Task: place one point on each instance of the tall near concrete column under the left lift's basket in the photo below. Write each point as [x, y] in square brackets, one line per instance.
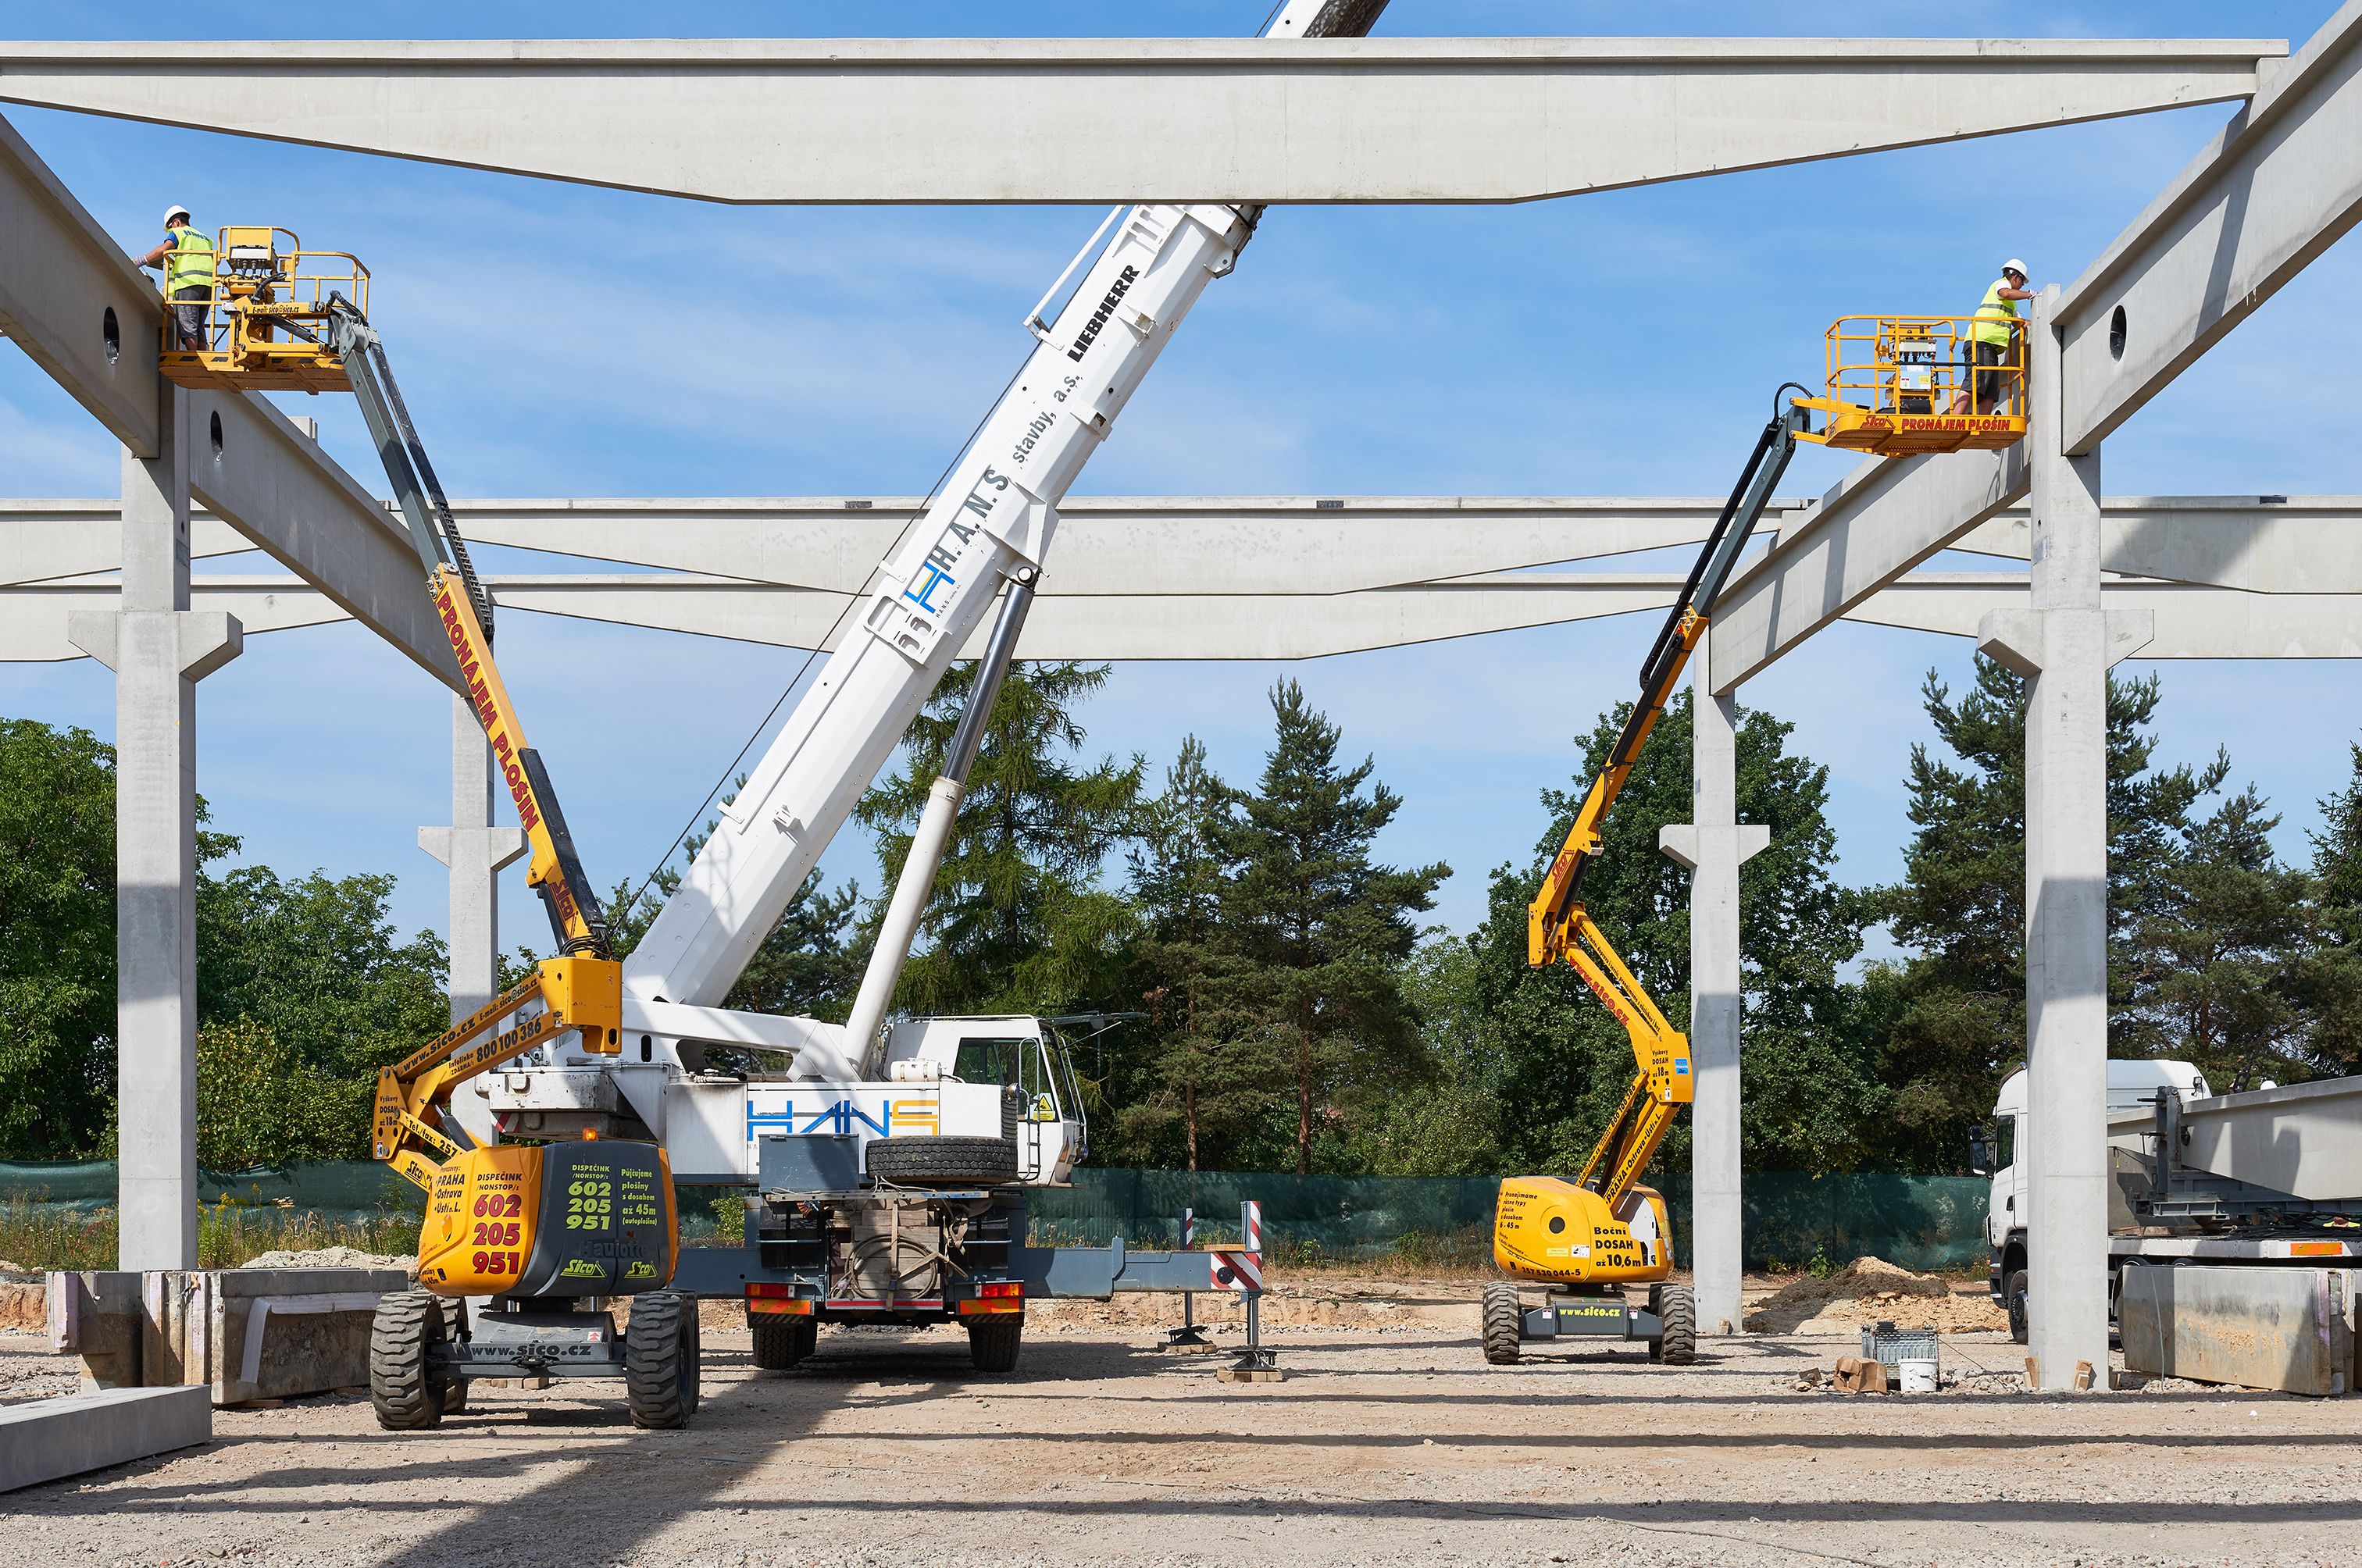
[159, 651]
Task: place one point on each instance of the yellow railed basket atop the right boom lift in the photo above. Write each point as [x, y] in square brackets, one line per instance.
[1900, 386]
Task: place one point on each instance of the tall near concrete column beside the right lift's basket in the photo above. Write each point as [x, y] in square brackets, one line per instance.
[2066, 643]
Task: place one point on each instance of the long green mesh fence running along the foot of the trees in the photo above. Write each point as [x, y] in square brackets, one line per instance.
[1787, 1217]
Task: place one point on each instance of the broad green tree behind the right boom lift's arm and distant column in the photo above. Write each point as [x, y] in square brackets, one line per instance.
[1808, 1054]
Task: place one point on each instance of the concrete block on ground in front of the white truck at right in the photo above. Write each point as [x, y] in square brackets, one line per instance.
[2259, 1328]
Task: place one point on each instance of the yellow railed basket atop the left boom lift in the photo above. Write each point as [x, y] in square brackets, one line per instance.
[263, 325]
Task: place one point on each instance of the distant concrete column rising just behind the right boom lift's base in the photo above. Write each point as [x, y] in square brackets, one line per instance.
[1714, 847]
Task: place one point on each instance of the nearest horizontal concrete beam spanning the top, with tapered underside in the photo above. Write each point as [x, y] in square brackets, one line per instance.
[1130, 119]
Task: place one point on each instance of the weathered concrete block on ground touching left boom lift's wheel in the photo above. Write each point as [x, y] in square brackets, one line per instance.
[261, 1333]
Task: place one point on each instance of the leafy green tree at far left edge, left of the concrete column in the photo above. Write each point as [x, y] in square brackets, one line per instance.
[58, 941]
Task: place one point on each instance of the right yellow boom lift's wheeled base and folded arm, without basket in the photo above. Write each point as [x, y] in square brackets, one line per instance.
[1603, 1231]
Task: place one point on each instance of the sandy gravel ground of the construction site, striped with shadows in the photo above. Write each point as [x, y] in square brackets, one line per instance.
[1392, 1442]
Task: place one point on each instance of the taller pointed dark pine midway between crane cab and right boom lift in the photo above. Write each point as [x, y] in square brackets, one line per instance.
[1322, 922]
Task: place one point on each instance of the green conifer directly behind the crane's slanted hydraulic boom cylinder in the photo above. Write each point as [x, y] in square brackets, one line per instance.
[1017, 920]
